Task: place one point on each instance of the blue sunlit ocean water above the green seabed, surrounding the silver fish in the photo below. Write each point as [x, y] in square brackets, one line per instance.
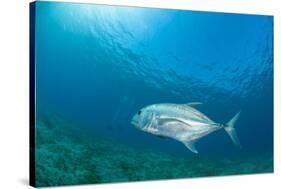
[97, 65]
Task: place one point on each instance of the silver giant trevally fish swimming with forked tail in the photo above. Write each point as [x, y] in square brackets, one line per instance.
[181, 122]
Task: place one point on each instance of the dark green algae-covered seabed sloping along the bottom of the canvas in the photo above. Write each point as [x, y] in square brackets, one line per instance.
[65, 158]
